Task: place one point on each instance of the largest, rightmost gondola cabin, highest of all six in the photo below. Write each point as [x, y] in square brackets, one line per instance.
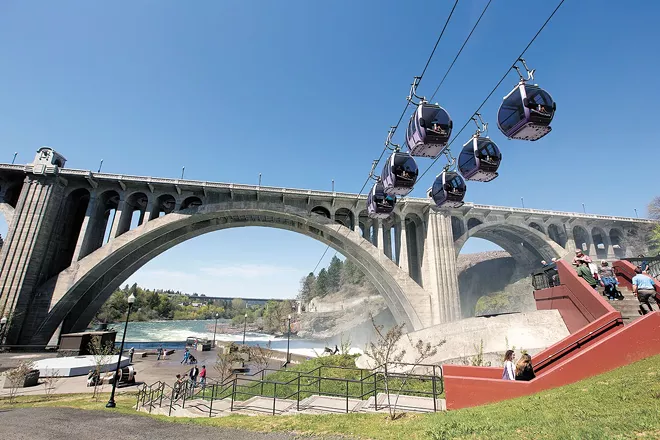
[526, 113]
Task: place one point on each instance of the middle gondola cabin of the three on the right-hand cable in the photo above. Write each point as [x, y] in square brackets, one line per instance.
[479, 159]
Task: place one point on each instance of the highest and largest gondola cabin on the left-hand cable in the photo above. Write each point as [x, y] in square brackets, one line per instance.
[428, 130]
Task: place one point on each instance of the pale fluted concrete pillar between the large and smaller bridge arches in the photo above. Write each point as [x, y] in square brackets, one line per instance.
[439, 274]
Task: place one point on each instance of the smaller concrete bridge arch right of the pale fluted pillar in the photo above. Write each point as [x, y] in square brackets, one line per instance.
[527, 245]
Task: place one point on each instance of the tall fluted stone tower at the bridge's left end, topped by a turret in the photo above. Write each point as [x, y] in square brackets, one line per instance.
[31, 244]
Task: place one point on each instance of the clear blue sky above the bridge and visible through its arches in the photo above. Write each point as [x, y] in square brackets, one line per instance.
[304, 92]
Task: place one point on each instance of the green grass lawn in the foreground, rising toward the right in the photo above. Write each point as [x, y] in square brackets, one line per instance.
[621, 404]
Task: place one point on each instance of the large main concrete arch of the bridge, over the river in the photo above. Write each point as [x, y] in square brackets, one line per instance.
[80, 290]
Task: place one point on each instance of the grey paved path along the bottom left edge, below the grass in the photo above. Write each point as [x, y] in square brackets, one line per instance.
[75, 424]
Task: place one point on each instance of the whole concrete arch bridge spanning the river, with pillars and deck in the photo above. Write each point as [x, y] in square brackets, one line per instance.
[58, 265]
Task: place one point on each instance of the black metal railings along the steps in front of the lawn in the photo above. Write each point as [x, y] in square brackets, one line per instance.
[356, 383]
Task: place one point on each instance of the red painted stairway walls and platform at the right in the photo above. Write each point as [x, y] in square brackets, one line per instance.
[598, 342]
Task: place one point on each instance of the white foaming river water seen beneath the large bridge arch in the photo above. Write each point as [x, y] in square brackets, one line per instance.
[173, 334]
